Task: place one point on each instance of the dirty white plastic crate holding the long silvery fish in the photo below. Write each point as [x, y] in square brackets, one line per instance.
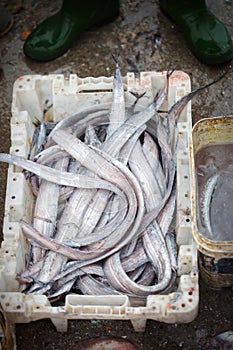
[63, 97]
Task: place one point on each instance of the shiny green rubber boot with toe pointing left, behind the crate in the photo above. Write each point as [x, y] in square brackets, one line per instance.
[55, 35]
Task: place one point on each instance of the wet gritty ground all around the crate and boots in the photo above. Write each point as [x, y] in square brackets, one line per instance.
[132, 34]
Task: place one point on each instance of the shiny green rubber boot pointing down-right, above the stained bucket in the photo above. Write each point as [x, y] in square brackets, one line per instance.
[206, 35]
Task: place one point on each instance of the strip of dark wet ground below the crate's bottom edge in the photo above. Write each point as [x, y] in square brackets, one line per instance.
[215, 317]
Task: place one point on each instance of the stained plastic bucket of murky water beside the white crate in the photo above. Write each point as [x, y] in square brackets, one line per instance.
[212, 155]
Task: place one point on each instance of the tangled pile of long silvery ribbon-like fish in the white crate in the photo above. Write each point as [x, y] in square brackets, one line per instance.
[104, 182]
